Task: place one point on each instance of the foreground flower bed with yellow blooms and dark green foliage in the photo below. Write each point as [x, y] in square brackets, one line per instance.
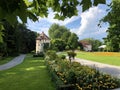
[73, 76]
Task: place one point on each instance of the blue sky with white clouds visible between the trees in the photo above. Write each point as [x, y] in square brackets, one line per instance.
[85, 25]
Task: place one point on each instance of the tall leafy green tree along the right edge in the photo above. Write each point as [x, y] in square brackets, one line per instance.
[113, 18]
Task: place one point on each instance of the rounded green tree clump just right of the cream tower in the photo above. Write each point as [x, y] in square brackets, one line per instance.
[62, 37]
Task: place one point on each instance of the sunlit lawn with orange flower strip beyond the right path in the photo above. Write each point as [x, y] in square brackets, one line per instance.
[112, 58]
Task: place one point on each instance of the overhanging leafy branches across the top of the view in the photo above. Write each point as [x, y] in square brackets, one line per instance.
[11, 9]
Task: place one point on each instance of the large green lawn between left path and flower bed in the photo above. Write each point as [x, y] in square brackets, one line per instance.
[30, 75]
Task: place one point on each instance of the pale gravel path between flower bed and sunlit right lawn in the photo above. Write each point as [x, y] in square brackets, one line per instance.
[105, 68]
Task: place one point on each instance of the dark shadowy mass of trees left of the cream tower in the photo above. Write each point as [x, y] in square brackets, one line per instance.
[17, 39]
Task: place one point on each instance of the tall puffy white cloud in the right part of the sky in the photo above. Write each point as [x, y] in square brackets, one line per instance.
[89, 22]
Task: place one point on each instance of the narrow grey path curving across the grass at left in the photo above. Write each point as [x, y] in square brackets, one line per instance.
[17, 60]
